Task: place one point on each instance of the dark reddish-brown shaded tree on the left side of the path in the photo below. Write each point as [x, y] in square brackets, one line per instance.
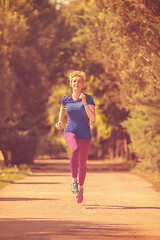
[34, 55]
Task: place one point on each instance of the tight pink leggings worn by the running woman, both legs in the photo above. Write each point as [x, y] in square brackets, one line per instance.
[79, 155]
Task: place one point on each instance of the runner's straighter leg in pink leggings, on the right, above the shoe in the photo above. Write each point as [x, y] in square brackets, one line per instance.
[84, 147]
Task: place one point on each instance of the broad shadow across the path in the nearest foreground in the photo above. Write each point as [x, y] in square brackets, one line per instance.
[31, 229]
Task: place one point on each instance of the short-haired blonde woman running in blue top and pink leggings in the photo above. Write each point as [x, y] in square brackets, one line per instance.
[80, 110]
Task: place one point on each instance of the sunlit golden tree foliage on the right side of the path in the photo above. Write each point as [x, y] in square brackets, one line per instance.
[123, 38]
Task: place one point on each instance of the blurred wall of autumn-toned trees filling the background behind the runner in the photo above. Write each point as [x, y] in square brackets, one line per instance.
[117, 44]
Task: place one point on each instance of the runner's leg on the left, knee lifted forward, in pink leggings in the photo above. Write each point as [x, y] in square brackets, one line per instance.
[72, 142]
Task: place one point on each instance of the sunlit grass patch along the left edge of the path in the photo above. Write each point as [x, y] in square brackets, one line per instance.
[12, 174]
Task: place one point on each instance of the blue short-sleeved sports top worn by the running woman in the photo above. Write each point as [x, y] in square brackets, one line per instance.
[77, 119]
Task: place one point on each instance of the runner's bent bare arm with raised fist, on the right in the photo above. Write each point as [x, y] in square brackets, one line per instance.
[90, 109]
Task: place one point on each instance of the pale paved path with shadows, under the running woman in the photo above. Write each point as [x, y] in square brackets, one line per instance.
[116, 206]
